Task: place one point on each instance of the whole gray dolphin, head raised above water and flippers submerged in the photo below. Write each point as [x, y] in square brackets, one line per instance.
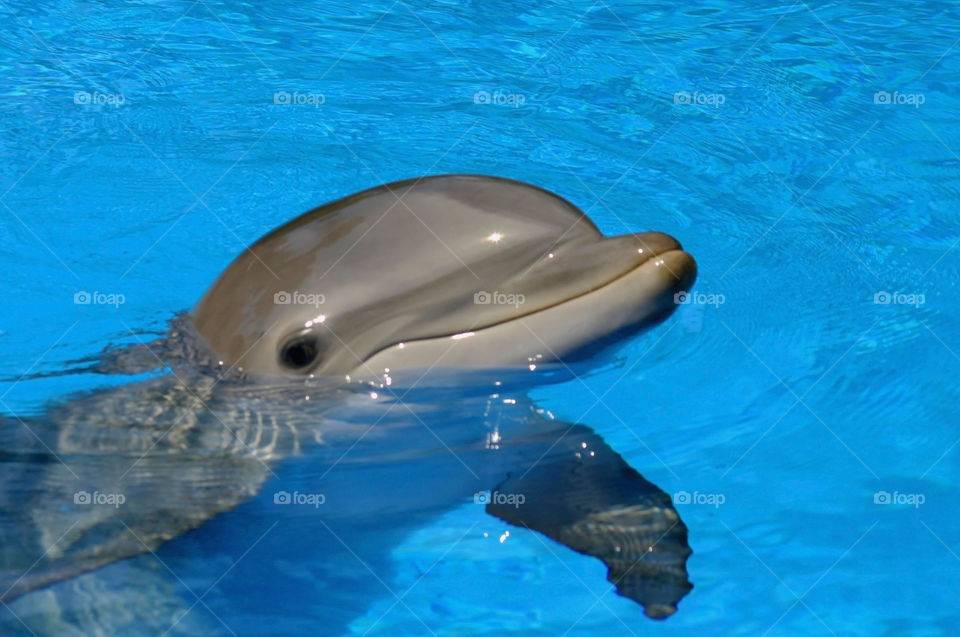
[470, 280]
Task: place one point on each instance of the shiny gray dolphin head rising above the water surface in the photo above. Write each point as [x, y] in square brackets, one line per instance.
[450, 270]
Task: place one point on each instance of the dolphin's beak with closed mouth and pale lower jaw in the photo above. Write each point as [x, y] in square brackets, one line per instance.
[577, 309]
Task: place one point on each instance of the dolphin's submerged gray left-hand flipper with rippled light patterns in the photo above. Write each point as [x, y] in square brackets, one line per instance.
[117, 473]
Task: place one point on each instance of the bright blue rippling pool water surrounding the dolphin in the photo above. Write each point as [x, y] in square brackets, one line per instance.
[752, 133]
